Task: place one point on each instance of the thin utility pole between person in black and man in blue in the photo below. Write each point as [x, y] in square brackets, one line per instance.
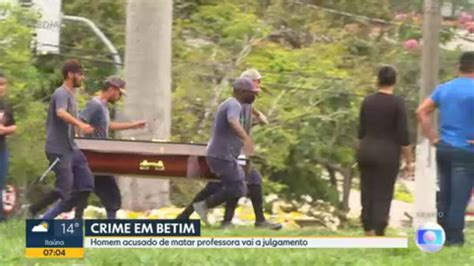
[425, 181]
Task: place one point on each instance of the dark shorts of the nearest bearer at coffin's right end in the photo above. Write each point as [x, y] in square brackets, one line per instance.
[231, 174]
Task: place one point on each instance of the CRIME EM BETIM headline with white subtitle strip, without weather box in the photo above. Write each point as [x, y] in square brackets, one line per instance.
[187, 234]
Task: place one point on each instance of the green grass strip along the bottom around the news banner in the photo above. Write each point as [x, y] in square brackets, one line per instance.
[12, 239]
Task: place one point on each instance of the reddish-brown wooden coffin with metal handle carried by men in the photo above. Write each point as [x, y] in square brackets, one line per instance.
[146, 158]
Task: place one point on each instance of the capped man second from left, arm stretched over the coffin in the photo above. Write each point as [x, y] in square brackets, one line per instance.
[97, 114]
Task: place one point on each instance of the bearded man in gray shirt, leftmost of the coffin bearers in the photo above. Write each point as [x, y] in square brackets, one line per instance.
[71, 169]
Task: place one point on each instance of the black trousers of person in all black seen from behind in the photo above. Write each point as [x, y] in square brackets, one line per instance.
[379, 163]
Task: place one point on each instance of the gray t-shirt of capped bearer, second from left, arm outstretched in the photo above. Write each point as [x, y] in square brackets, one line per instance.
[97, 114]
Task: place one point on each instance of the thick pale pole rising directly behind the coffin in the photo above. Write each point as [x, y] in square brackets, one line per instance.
[148, 77]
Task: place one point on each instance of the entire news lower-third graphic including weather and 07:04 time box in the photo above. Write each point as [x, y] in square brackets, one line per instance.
[68, 238]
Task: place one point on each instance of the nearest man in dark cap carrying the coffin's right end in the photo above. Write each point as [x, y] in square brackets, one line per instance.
[227, 140]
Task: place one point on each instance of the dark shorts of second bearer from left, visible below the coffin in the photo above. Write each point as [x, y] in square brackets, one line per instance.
[106, 188]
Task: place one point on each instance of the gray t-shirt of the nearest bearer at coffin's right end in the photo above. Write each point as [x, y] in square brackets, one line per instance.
[224, 143]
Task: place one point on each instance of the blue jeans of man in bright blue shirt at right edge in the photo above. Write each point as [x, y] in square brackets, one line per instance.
[456, 180]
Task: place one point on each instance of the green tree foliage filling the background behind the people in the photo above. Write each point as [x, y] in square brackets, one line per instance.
[317, 67]
